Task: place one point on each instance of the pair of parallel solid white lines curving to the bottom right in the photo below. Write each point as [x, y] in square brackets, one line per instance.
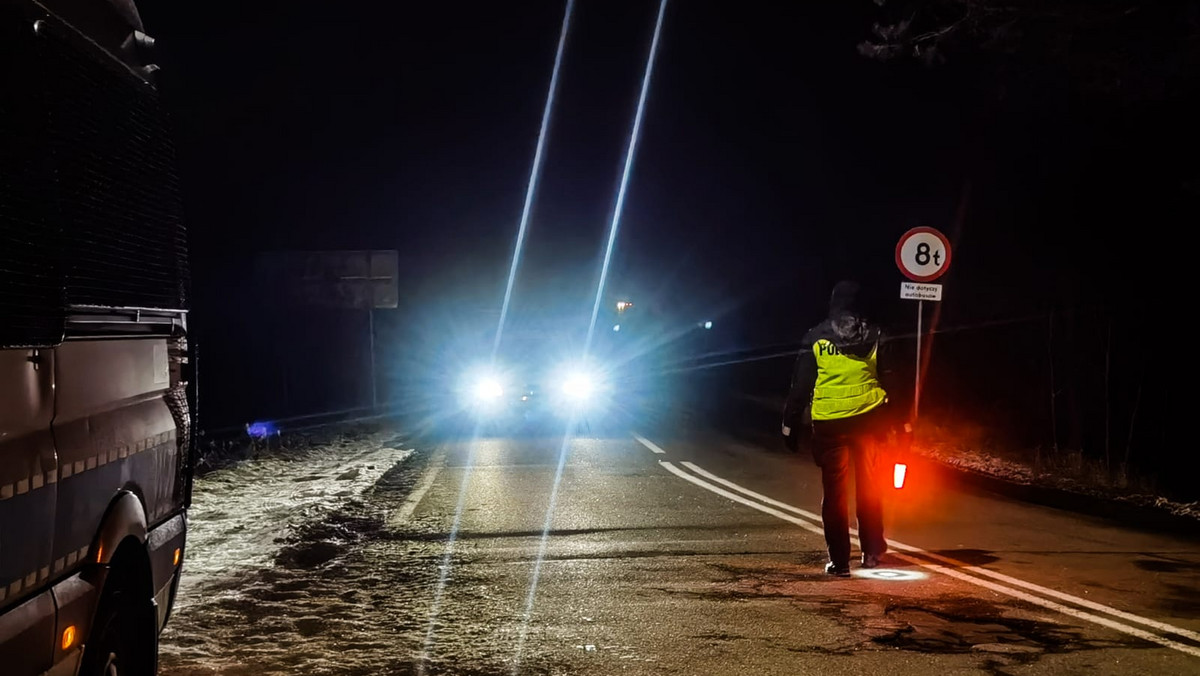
[958, 575]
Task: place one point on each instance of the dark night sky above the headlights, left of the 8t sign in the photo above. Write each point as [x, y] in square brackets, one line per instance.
[767, 139]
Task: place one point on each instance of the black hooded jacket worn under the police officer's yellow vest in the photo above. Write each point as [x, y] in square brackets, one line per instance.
[854, 334]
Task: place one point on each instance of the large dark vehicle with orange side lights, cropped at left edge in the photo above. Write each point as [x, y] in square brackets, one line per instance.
[95, 366]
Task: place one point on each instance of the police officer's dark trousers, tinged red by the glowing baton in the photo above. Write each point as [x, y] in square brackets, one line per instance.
[837, 445]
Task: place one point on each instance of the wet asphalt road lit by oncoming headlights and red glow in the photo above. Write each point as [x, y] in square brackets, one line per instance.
[680, 551]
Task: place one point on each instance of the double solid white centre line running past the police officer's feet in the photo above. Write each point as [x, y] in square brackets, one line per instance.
[947, 566]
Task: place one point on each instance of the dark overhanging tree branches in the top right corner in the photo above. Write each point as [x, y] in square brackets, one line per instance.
[1127, 50]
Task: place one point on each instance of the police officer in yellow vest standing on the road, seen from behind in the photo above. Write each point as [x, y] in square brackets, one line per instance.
[836, 388]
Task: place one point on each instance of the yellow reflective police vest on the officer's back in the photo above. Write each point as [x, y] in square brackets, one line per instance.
[847, 386]
